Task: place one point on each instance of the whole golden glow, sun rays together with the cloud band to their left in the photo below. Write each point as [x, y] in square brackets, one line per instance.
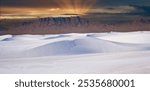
[63, 7]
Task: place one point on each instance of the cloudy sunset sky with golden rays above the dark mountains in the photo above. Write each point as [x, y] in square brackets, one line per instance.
[40, 7]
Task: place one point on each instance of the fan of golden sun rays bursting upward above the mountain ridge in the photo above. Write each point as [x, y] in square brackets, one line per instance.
[75, 6]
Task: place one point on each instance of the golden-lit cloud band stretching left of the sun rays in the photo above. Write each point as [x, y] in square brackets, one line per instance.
[18, 13]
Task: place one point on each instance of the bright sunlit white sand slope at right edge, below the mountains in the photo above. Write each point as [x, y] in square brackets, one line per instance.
[134, 37]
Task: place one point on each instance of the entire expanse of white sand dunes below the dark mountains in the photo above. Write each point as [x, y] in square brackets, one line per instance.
[76, 53]
